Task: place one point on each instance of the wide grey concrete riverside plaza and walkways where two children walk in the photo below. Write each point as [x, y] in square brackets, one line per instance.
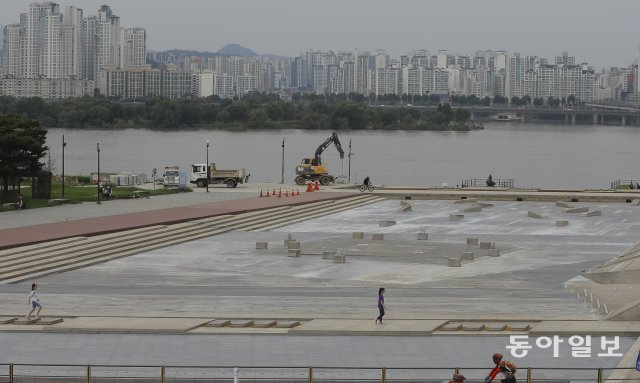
[177, 294]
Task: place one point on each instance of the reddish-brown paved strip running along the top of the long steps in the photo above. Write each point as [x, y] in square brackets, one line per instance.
[21, 236]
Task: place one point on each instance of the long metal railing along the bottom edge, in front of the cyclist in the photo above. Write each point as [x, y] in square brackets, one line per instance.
[78, 373]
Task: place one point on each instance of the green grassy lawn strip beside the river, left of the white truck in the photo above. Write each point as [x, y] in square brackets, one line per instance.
[87, 193]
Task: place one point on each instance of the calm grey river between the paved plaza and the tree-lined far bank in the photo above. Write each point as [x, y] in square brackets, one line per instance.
[535, 155]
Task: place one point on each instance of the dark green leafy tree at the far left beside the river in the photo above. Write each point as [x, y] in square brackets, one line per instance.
[22, 146]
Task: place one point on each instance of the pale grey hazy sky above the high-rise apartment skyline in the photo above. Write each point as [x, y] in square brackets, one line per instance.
[601, 32]
